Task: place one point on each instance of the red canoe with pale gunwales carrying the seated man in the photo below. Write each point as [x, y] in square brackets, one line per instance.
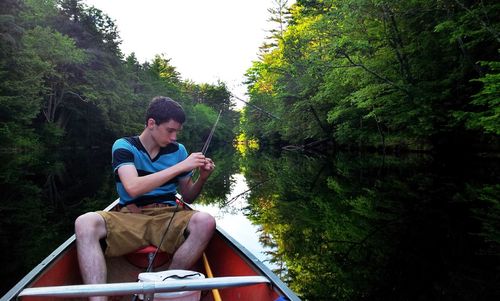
[225, 260]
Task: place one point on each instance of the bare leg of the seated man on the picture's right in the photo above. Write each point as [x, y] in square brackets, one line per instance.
[201, 228]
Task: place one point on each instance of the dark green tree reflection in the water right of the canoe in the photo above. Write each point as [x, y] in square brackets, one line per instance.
[374, 227]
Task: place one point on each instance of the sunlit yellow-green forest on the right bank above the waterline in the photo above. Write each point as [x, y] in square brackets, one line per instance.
[418, 75]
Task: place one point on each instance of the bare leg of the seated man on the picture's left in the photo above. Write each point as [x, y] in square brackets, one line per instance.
[89, 229]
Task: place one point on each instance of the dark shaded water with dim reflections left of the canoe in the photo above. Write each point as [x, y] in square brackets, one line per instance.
[42, 193]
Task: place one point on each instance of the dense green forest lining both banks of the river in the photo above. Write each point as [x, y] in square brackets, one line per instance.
[418, 75]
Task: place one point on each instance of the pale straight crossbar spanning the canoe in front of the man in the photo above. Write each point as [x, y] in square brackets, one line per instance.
[130, 288]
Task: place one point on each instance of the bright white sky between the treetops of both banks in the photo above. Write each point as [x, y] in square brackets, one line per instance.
[205, 40]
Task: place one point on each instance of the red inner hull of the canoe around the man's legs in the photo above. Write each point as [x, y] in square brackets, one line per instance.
[224, 260]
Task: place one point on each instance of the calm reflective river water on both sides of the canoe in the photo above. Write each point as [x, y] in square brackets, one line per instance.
[344, 226]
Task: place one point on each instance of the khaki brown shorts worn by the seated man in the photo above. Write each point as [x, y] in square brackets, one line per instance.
[128, 232]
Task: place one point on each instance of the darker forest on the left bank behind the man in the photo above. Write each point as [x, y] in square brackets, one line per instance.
[65, 82]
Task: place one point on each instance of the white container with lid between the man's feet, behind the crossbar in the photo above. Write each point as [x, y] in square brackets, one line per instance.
[173, 275]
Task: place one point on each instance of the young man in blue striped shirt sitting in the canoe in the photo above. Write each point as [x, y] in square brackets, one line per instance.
[149, 169]
